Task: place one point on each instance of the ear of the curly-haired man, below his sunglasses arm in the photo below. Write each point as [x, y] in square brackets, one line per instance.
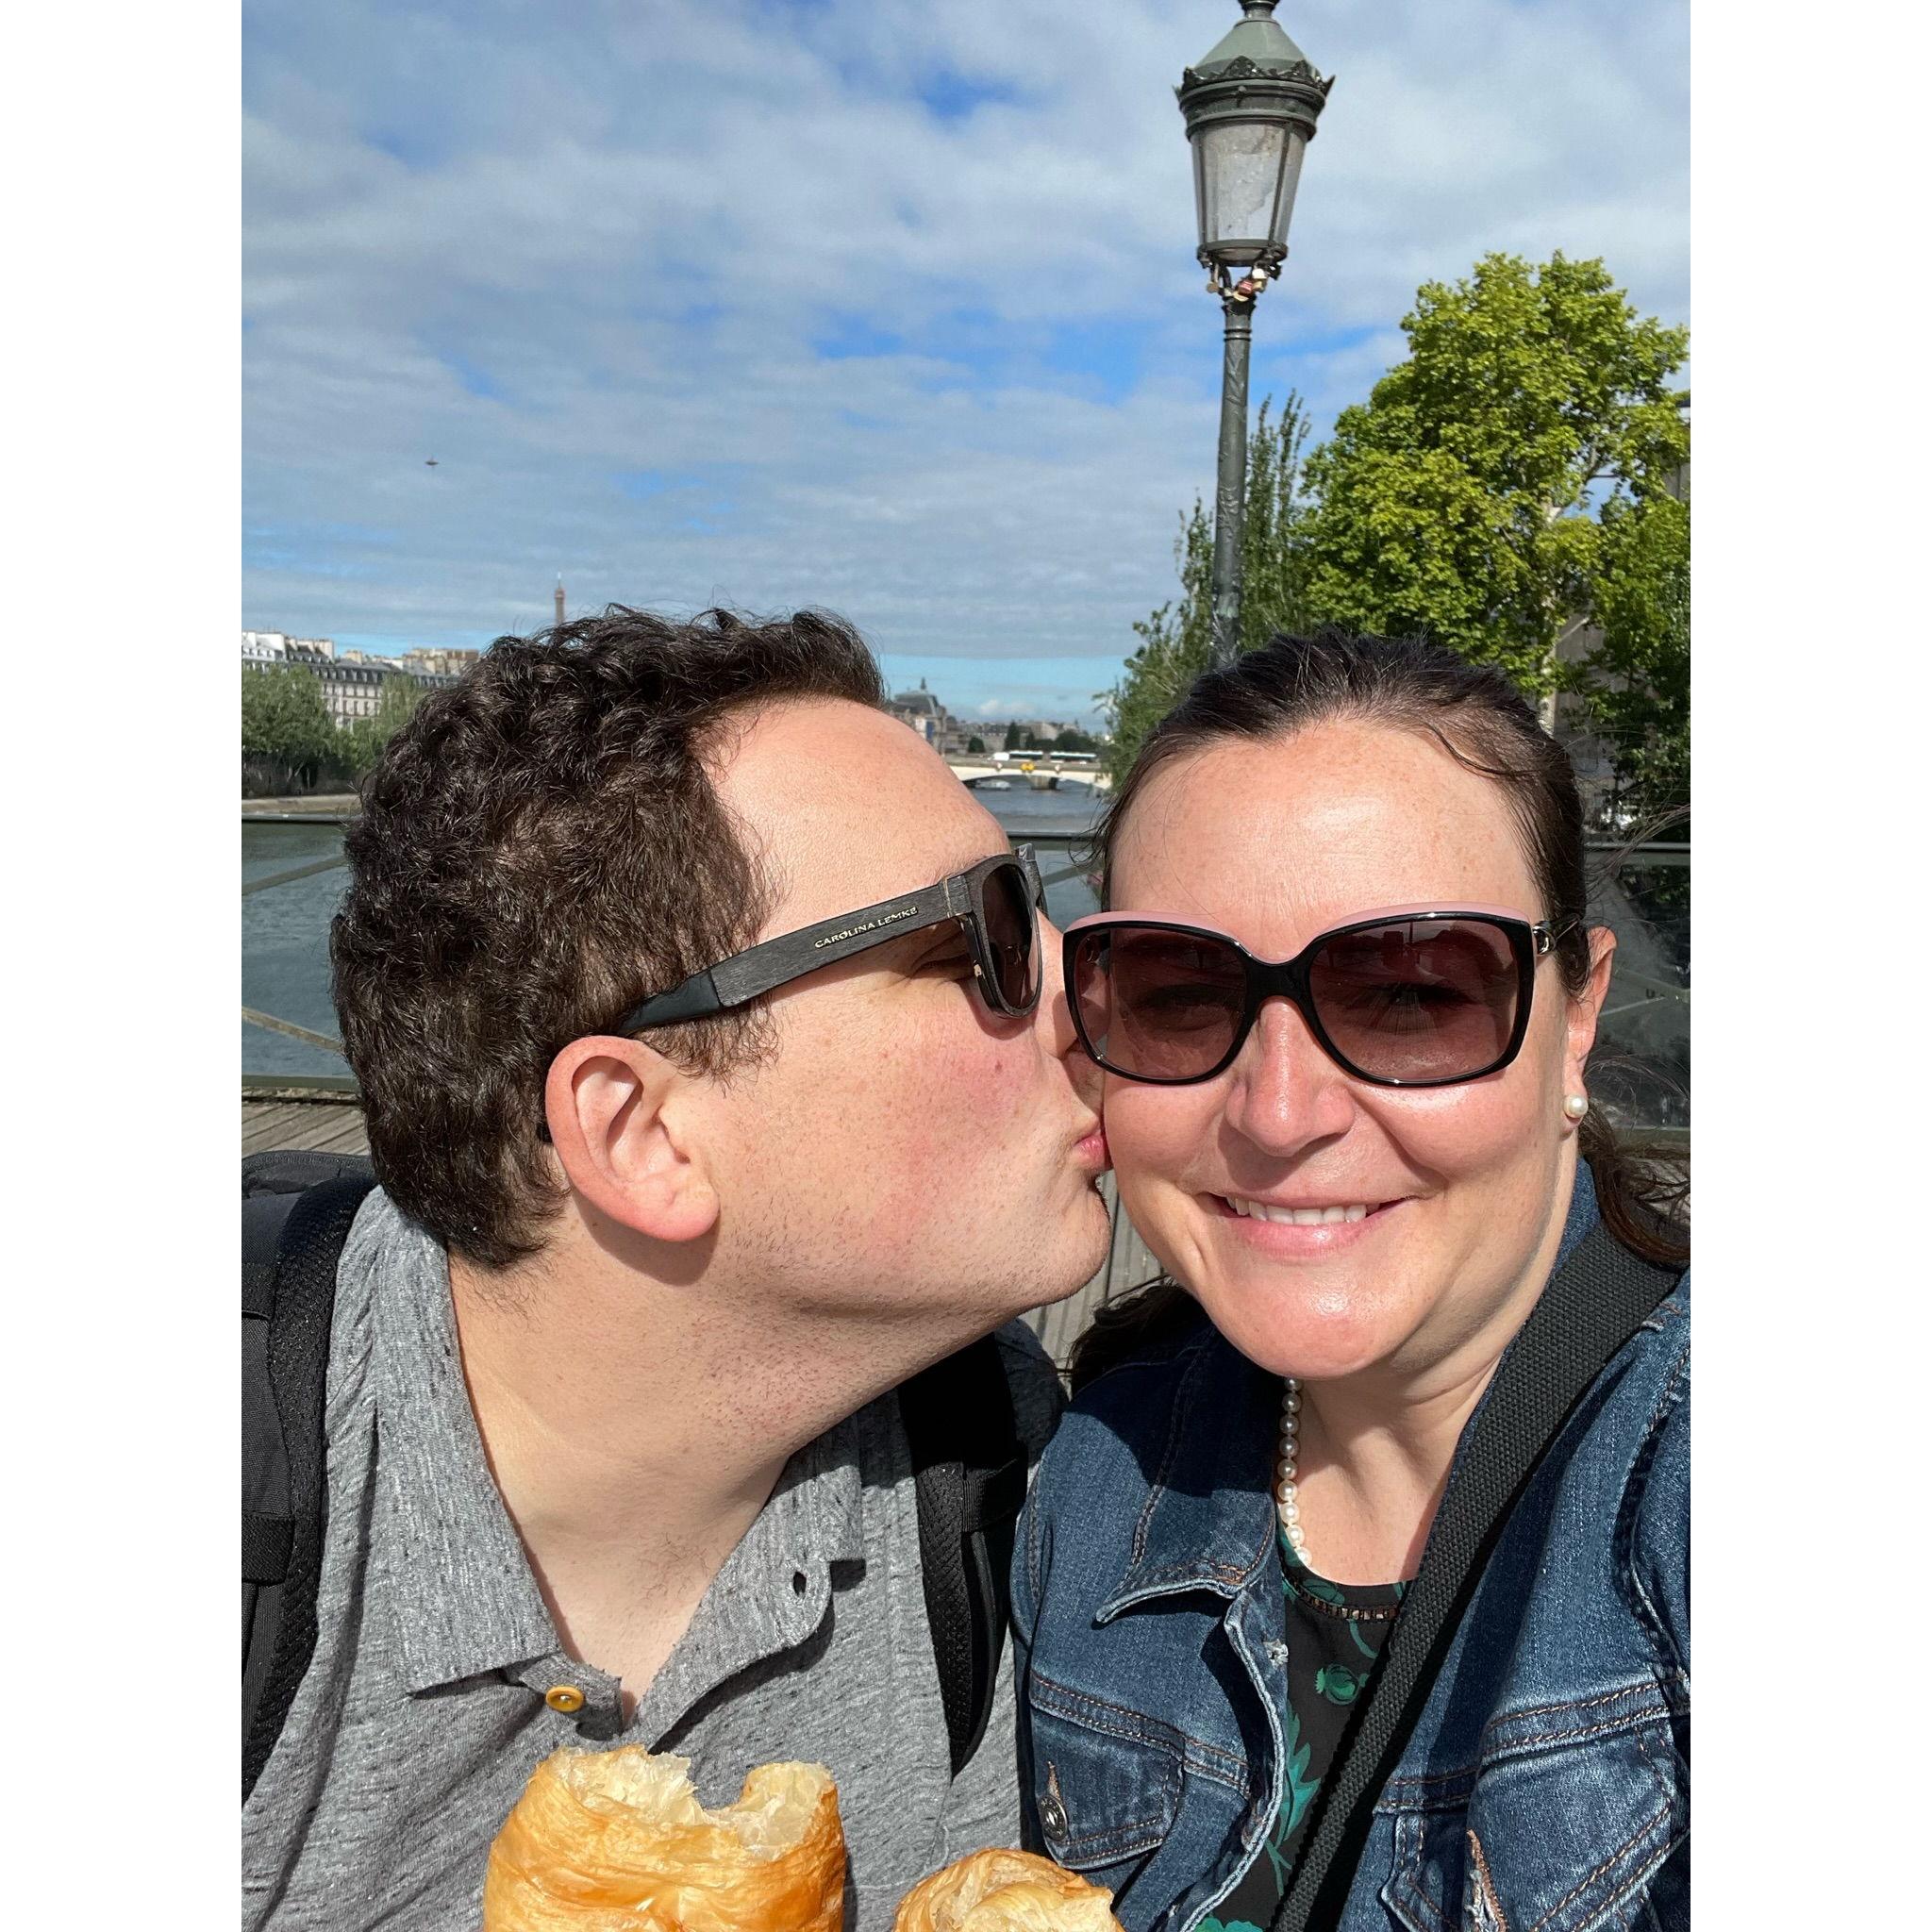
[623, 1131]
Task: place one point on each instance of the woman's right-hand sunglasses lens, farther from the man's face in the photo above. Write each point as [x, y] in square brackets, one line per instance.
[1419, 1000]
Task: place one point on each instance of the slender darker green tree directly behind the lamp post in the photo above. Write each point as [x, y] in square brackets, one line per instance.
[1176, 640]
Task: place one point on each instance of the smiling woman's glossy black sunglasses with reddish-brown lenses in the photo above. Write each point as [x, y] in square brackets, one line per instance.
[1415, 998]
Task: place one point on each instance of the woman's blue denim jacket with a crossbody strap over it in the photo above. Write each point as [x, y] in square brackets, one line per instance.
[1547, 1782]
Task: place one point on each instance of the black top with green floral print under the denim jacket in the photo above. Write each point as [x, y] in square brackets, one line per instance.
[1336, 1635]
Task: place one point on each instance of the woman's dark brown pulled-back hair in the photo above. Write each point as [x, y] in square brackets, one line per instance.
[1483, 724]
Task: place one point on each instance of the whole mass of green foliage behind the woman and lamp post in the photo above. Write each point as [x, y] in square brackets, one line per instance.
[1504, 488]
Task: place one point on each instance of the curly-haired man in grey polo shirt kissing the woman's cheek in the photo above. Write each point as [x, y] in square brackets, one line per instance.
[720, 1083]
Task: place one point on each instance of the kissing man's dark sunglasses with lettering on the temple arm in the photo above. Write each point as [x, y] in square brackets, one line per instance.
[994, 901]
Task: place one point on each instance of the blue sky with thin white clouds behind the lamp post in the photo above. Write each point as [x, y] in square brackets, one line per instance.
[828, 302]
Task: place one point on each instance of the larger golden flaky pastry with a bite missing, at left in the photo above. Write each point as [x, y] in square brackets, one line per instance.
[617, 1842]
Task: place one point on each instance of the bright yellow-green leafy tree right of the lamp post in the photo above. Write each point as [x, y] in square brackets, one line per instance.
[1469, 497]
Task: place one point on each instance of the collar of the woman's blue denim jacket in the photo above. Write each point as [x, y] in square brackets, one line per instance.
[1210, 1514]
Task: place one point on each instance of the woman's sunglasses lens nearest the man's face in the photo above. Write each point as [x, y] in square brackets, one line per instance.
[1158, 1006]
